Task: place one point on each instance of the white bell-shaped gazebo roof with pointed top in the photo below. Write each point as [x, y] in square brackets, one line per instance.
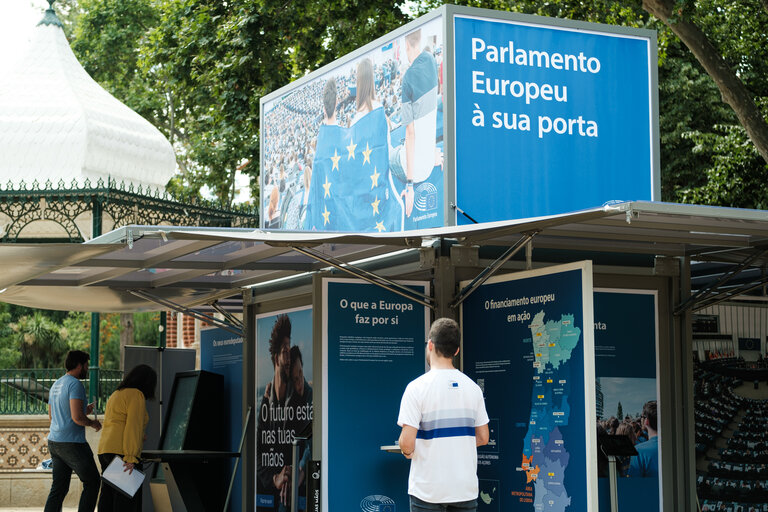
[57, 123]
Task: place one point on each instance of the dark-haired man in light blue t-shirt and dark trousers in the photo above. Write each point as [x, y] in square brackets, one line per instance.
[68, 413]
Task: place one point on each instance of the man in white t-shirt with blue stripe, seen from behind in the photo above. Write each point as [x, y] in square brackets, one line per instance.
[444, 420]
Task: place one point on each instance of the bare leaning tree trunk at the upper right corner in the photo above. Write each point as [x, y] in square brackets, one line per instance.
[732, 90]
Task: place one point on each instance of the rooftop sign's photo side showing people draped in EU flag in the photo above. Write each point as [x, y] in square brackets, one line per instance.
[358, 146]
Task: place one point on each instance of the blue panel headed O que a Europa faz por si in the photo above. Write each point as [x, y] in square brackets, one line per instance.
[373, 346]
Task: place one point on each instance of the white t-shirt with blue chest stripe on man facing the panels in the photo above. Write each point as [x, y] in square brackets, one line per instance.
[446, 406]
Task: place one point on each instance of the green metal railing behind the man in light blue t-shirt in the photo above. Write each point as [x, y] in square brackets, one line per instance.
[25, 391]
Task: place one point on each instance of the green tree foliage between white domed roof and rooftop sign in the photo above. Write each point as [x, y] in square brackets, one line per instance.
[196, 69]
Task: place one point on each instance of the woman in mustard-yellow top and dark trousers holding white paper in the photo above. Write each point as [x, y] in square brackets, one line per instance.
[122, 433]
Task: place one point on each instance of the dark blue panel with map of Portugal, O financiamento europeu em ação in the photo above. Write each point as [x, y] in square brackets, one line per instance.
[528, 342]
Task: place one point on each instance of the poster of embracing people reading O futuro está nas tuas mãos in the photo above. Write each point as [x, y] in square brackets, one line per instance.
[284, 394]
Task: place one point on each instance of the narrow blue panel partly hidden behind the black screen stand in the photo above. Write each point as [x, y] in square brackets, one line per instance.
[222, 352]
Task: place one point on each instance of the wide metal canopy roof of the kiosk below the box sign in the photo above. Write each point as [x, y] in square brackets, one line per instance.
[193, 266]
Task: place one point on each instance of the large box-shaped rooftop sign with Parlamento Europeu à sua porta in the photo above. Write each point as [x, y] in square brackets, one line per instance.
[499, 115]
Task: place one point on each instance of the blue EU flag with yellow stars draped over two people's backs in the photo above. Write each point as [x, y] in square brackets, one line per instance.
[351, 188]
